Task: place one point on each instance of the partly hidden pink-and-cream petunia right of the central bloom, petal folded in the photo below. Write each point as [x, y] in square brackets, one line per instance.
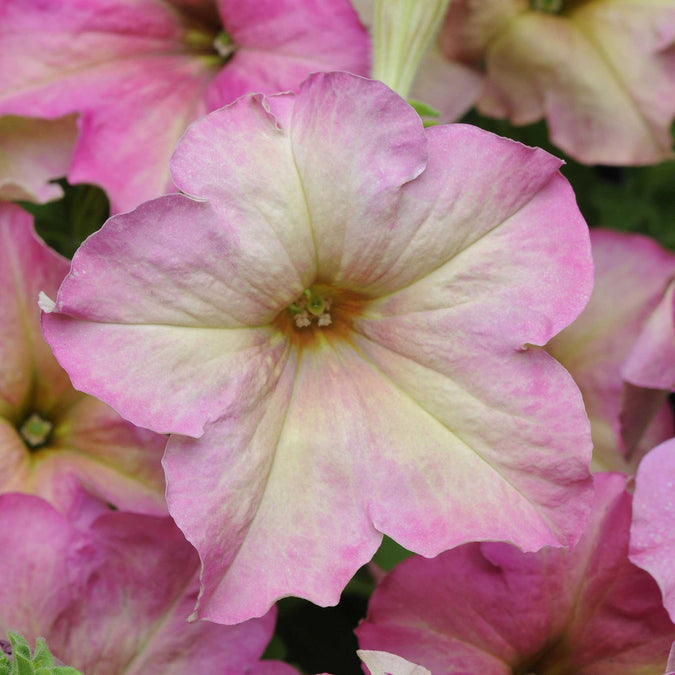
[628, 411]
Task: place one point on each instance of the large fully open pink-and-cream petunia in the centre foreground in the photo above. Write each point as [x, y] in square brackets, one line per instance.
[339, 327]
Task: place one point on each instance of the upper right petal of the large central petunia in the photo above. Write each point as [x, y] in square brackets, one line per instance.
[480, 192]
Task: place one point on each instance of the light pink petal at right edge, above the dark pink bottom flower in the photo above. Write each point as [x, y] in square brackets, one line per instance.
[652, 544]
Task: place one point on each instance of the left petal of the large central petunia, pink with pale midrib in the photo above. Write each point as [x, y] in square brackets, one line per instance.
[206, 288]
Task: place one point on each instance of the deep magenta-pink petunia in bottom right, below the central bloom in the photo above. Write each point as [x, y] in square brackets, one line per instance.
[491, 609]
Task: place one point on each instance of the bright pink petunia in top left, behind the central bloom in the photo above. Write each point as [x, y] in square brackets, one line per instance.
[140, 72]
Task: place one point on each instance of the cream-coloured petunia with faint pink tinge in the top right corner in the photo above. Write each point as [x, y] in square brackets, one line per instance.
[602, 72]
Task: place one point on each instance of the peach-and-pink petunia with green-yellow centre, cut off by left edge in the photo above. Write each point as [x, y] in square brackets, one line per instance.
[56, 442]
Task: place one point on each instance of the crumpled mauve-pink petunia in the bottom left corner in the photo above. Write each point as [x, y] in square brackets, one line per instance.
[114, 598]
